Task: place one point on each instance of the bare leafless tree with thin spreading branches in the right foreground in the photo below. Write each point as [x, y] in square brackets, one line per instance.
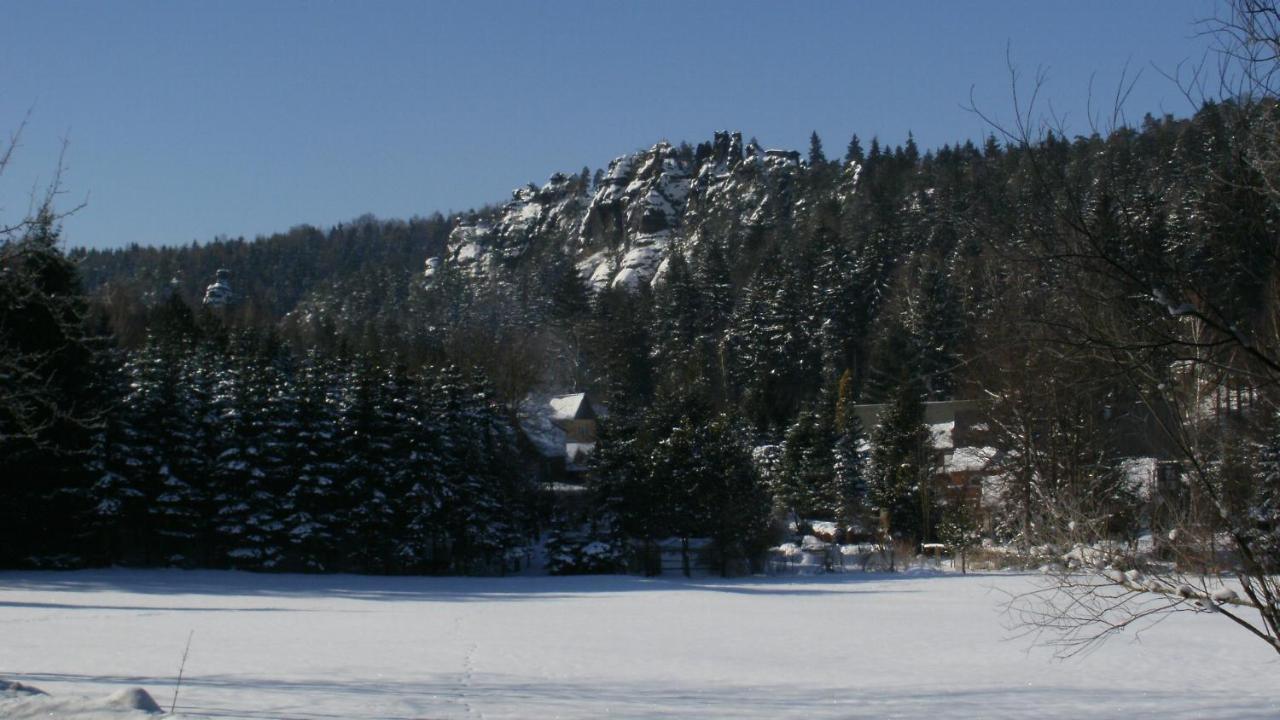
[1169, 293]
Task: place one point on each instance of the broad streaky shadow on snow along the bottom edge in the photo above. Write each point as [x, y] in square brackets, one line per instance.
[436, 695]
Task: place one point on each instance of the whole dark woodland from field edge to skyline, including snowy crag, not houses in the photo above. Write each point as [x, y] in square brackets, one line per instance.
[350, 399]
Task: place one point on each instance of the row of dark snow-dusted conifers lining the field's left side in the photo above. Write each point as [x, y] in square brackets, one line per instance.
[223, 448]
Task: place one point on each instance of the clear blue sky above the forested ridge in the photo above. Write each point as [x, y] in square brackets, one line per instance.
[194, 120]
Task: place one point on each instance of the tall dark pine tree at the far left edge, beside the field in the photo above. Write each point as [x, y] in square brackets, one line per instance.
[49, 404]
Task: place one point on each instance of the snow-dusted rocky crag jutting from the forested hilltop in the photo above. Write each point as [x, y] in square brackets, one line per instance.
[621, 231]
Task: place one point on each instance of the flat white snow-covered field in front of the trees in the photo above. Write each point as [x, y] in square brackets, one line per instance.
[836, 646]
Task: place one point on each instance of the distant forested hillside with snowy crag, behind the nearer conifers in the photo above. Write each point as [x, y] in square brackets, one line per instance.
[765, 275]
